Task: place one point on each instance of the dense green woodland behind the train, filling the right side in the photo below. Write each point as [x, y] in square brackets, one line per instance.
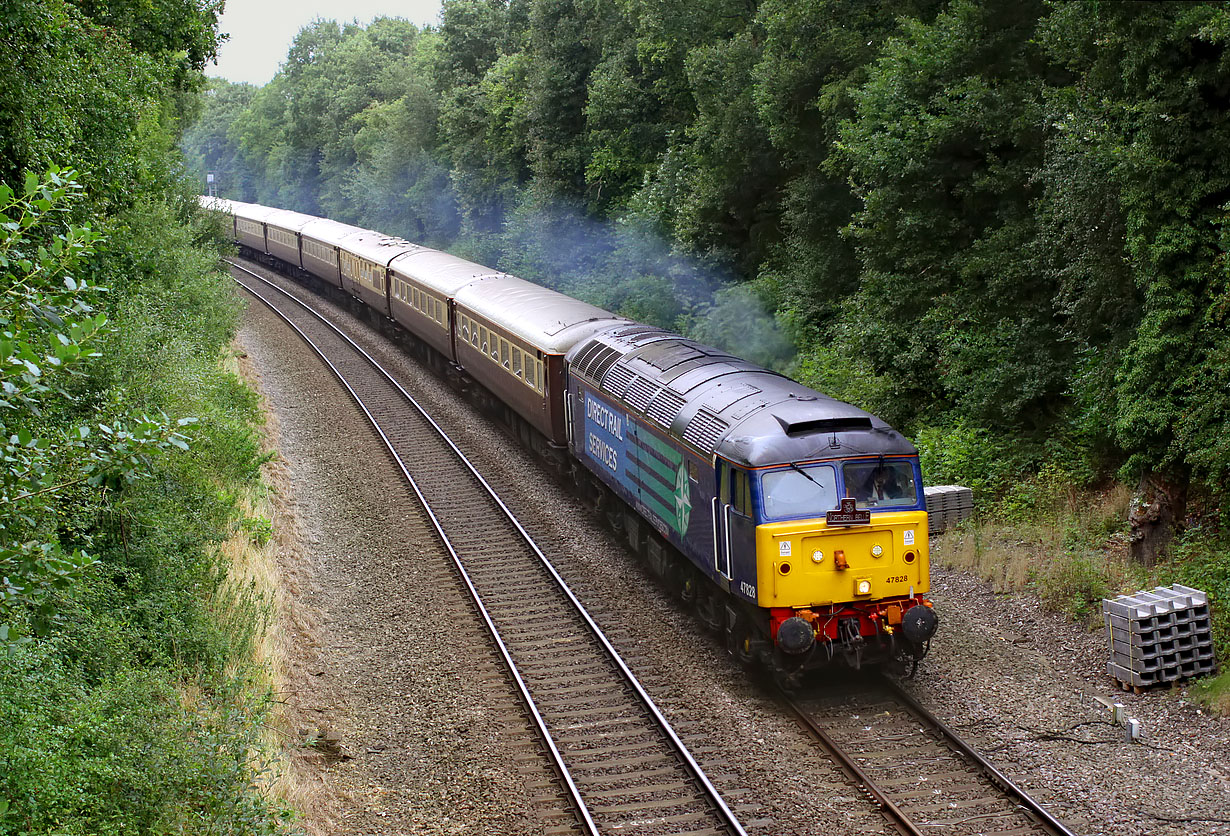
[1007, 217]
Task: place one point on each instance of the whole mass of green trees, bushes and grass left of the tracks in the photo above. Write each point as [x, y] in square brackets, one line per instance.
[130, 700]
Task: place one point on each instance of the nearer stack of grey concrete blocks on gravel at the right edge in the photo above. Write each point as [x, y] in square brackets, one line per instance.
[1159, 636]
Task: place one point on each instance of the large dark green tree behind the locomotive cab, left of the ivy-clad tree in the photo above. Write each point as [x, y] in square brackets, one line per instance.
[943, 153]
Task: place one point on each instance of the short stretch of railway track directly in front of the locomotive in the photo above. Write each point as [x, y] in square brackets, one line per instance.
[919, 773]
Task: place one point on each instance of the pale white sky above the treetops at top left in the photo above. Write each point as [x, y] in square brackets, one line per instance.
[261, 31]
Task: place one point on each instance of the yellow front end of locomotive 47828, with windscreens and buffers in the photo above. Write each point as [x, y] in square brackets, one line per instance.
[847, 582]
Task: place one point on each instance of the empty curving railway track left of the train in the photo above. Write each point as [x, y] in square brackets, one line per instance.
[618, 760]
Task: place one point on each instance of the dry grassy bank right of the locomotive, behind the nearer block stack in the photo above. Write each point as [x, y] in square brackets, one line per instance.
[1071, 549]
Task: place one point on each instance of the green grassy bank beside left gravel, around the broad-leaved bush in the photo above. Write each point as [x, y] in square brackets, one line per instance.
[147, 706]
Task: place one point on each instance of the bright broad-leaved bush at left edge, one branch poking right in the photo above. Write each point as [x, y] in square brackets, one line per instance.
[50, 334]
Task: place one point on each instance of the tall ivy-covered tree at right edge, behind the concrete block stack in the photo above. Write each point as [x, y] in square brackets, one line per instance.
[1148, 291]
